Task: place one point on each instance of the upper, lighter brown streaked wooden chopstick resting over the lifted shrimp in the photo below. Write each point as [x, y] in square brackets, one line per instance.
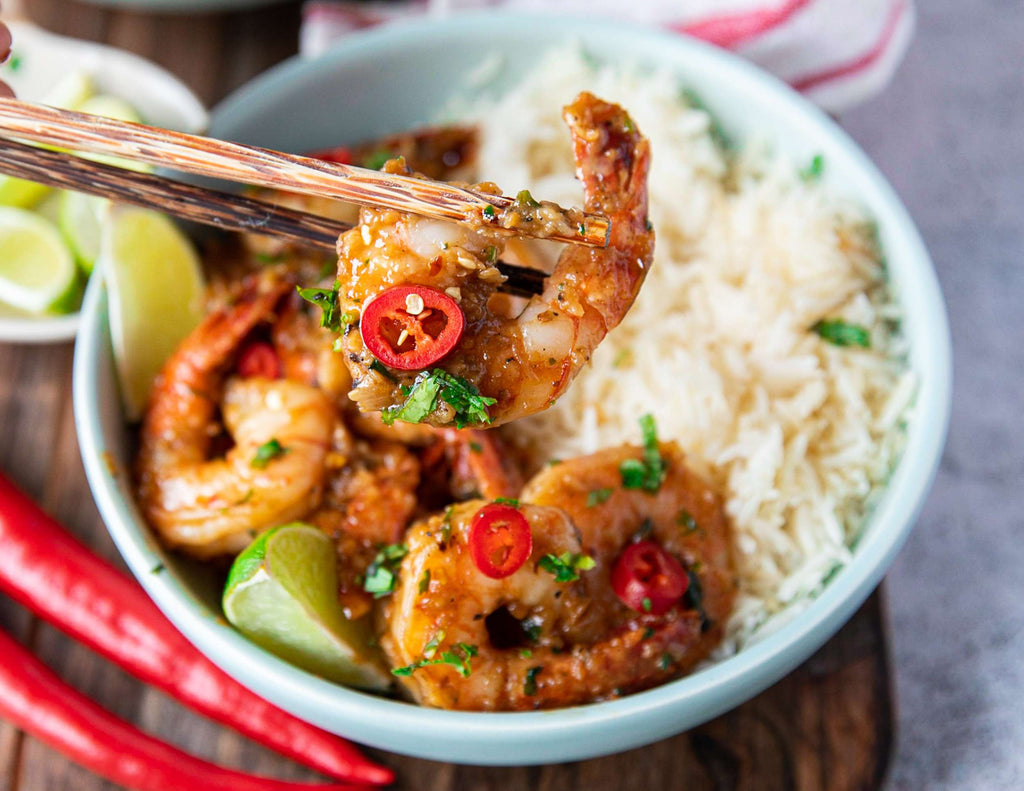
[263, 168]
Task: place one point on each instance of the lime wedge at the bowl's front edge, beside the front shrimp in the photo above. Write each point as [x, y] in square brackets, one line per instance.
[282, 594]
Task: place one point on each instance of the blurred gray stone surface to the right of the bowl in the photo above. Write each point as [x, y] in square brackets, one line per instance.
[950, 135]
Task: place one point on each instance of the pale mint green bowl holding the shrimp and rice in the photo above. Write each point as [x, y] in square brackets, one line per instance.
[398, 77]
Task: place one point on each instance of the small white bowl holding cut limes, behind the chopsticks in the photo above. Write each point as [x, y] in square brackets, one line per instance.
[39, 60]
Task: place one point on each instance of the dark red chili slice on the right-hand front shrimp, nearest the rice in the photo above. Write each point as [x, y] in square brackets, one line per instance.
[648, 578]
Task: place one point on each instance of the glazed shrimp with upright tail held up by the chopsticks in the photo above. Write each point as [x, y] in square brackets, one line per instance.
[516, 365]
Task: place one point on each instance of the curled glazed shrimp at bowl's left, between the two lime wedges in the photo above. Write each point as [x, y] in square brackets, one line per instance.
[210, 507]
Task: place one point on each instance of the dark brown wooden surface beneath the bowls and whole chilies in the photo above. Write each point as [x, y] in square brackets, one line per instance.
[828, 726]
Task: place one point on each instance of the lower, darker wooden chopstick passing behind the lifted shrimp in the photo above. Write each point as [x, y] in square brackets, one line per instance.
[208, 207]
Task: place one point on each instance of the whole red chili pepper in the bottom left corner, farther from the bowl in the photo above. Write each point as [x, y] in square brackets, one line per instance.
[34, 699]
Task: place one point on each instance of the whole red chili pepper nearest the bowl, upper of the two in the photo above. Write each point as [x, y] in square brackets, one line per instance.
[46, 569]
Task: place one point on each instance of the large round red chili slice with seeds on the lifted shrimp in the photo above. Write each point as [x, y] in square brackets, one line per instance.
[411, 327]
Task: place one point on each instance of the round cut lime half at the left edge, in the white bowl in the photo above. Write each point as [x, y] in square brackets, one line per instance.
[37, 272]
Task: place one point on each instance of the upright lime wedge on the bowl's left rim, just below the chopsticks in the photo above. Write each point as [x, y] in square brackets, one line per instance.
[156, 287]
